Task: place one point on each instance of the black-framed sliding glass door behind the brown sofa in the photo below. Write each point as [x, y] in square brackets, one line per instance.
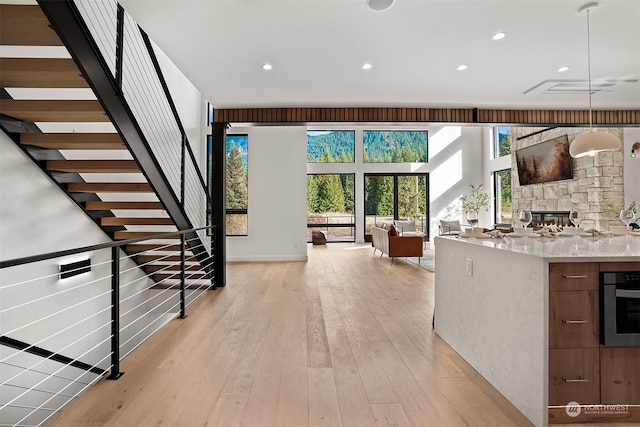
[390, 197]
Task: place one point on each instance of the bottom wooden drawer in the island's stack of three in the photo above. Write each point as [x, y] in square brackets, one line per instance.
[574, 376]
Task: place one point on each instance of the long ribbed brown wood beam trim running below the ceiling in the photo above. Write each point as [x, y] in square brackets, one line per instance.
[435, 115]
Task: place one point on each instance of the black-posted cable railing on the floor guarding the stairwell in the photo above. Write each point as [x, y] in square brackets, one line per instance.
[59, 336]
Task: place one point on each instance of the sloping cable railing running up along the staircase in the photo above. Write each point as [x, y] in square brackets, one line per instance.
[128, 55]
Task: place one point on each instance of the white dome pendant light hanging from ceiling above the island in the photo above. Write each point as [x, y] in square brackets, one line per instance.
[592, 142]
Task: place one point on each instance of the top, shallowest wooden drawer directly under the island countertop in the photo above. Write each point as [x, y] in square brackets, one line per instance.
[574, 276]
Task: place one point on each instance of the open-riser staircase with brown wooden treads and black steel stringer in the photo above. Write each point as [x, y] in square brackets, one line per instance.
[51, 108]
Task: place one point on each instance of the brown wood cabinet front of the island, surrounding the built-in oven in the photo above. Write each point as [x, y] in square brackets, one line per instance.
[580, 368]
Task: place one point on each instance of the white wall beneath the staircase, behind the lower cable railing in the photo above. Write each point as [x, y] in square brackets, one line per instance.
[37, 217]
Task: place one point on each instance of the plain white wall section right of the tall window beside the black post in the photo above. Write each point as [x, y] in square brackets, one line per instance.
[277, 196]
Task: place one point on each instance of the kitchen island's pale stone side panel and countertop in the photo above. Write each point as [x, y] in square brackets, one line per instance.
[492, 305]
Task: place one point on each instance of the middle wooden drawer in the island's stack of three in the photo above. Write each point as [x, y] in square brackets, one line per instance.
[573, 319]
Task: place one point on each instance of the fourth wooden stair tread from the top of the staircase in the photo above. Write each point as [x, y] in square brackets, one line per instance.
[74, 141]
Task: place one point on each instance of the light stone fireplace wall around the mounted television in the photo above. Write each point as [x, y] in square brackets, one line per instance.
[596, 190]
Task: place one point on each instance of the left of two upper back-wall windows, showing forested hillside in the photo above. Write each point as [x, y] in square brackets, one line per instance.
[330, 146]
